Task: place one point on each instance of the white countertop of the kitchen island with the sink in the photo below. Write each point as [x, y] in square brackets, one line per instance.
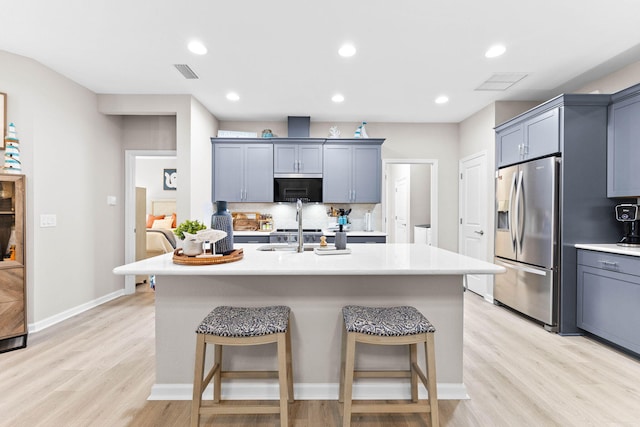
[379, 259]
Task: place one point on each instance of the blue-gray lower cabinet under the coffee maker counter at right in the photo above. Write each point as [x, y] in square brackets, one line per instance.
[609, 297]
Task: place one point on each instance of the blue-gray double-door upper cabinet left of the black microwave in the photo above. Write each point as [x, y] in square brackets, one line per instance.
[242, 171]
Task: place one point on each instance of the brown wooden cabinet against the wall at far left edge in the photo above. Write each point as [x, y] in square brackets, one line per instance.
[13, 317]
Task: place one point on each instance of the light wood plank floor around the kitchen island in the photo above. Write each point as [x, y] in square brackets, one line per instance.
[97, 369]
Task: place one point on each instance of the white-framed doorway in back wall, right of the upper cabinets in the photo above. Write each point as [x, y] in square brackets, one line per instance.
[421, 187]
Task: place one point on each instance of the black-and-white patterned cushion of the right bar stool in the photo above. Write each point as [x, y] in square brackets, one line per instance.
[385, 321]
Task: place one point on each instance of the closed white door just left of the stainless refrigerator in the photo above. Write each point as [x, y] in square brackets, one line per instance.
[474, 229]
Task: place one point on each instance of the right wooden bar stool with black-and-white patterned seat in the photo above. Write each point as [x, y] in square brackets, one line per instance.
[402, 325]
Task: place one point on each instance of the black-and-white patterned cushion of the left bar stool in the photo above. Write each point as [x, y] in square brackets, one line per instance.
[225, 321]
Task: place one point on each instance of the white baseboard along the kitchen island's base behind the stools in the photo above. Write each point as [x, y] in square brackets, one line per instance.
[307, 391]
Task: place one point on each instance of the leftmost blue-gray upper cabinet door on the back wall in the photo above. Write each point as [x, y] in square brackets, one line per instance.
[228, 172]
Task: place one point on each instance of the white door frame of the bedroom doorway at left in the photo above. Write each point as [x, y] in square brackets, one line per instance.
[130, 207]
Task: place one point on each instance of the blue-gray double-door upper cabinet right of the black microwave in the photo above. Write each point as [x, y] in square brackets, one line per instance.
[352, 171]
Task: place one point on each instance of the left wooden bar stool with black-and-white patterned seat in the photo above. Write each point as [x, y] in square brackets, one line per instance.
[242, 326]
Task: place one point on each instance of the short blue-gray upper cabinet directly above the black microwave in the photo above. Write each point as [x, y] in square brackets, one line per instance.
[297, 158]
